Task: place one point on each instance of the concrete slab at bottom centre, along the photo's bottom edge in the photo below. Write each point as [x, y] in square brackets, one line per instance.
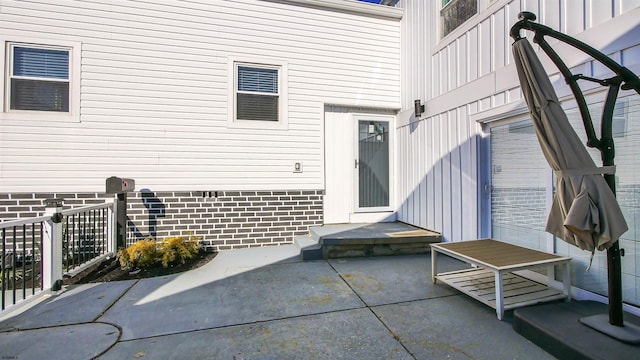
[350, 334]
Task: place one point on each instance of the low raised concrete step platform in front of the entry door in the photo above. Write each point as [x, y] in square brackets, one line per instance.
[363, 240]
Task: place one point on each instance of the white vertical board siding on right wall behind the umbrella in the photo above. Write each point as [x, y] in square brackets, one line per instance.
[449, 147]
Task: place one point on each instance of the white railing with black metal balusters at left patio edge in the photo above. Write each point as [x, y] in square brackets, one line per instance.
[38, 252]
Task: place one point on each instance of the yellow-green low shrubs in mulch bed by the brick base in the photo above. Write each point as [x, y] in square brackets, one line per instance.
[169, 251]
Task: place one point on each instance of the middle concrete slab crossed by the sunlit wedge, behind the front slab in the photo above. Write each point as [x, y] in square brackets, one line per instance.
[271, 292]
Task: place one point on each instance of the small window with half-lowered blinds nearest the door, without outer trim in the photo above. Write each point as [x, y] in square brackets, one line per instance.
[257, 93]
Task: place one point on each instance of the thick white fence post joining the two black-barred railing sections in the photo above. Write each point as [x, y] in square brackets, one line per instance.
[52, 246]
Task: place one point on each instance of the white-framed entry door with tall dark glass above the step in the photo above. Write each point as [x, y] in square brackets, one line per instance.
[373, 163]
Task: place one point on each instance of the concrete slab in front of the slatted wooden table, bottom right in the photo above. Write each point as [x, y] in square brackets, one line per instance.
[455, 327]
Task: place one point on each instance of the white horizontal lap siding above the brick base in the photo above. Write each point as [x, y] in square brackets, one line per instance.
[154, 92]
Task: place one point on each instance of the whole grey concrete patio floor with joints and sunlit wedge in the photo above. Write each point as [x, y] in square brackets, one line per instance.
[266, 304]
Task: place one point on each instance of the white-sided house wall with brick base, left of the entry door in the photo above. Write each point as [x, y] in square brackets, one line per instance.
[153, 82]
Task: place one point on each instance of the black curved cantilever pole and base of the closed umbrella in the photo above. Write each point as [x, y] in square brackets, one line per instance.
[614, 324]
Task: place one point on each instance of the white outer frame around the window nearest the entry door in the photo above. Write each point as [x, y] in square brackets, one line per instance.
[281, 66]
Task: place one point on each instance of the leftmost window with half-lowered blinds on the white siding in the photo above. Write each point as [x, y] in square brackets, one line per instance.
[39, 78]
